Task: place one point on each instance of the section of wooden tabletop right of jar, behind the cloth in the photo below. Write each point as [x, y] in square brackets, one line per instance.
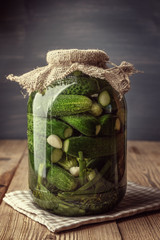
[143, 163]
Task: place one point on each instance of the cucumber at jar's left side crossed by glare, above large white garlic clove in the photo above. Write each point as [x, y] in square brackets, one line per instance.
[46, 127]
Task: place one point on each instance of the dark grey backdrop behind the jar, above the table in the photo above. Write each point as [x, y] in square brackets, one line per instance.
[126, 30]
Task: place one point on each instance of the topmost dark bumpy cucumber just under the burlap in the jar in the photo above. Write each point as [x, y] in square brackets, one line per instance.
[78, 85]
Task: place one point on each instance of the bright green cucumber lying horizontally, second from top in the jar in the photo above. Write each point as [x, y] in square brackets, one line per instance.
[69, 104]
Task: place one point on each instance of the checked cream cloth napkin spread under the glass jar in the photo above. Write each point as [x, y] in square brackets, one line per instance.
[138, 199]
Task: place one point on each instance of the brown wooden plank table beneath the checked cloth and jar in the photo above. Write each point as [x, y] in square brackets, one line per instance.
[143, 168]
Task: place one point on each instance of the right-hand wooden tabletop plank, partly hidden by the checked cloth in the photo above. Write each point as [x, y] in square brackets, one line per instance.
[143, 168]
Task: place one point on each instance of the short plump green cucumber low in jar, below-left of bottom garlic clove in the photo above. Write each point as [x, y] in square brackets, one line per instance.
[61, 179]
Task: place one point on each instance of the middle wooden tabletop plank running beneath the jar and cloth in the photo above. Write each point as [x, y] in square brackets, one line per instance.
[18, 226]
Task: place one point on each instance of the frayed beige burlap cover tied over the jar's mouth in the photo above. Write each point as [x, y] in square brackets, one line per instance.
[63, 62]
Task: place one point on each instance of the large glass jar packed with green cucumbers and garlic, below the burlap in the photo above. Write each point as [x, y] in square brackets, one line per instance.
[77, 146]
